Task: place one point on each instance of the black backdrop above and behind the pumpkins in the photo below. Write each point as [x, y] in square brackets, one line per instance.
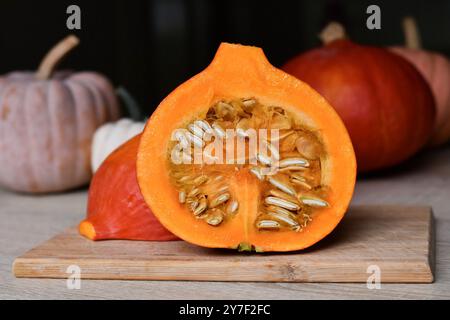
[150, 47]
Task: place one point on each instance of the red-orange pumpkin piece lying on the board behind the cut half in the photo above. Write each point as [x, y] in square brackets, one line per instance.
[116, 208]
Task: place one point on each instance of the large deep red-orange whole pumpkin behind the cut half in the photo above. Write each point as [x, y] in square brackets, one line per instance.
[385, 103]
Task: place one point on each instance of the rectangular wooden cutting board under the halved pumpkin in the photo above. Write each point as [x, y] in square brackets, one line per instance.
[397, 240]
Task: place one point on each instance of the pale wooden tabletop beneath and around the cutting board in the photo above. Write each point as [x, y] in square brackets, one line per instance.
[26, 221]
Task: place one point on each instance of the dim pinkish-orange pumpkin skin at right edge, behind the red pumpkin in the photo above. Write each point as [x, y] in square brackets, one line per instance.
[436, 70]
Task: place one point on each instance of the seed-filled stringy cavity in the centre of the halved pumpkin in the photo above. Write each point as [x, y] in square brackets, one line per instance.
[241, 150]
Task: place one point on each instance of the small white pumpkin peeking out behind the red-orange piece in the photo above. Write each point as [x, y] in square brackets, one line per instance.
[110, 136]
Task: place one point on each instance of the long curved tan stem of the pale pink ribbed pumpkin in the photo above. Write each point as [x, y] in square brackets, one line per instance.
[55, 55]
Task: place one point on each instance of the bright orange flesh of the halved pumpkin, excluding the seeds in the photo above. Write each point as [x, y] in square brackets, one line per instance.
[240, 73]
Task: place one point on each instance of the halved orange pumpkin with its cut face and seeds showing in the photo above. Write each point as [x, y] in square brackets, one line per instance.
[286, 188]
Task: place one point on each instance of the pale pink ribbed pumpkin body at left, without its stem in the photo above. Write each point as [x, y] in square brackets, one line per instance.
[46, 128]
